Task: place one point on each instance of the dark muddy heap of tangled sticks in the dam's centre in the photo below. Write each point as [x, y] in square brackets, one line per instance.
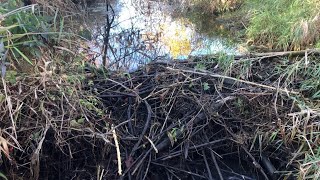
[172, 120]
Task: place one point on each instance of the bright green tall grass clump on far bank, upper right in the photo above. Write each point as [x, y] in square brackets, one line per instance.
[284, 24]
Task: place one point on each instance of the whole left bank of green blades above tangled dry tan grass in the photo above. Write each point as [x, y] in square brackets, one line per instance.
[40, 80]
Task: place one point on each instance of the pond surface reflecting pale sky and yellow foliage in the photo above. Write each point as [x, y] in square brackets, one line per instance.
[144, 31]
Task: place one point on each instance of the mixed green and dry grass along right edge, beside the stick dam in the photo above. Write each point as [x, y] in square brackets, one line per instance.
[303, 75]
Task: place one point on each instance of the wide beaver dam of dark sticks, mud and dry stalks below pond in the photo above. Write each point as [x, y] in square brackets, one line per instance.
[168, 120]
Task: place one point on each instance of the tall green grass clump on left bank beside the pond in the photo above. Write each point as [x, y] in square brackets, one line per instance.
[32, 33]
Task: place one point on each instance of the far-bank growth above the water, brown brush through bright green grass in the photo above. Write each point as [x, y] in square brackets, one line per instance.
[276, 24]
